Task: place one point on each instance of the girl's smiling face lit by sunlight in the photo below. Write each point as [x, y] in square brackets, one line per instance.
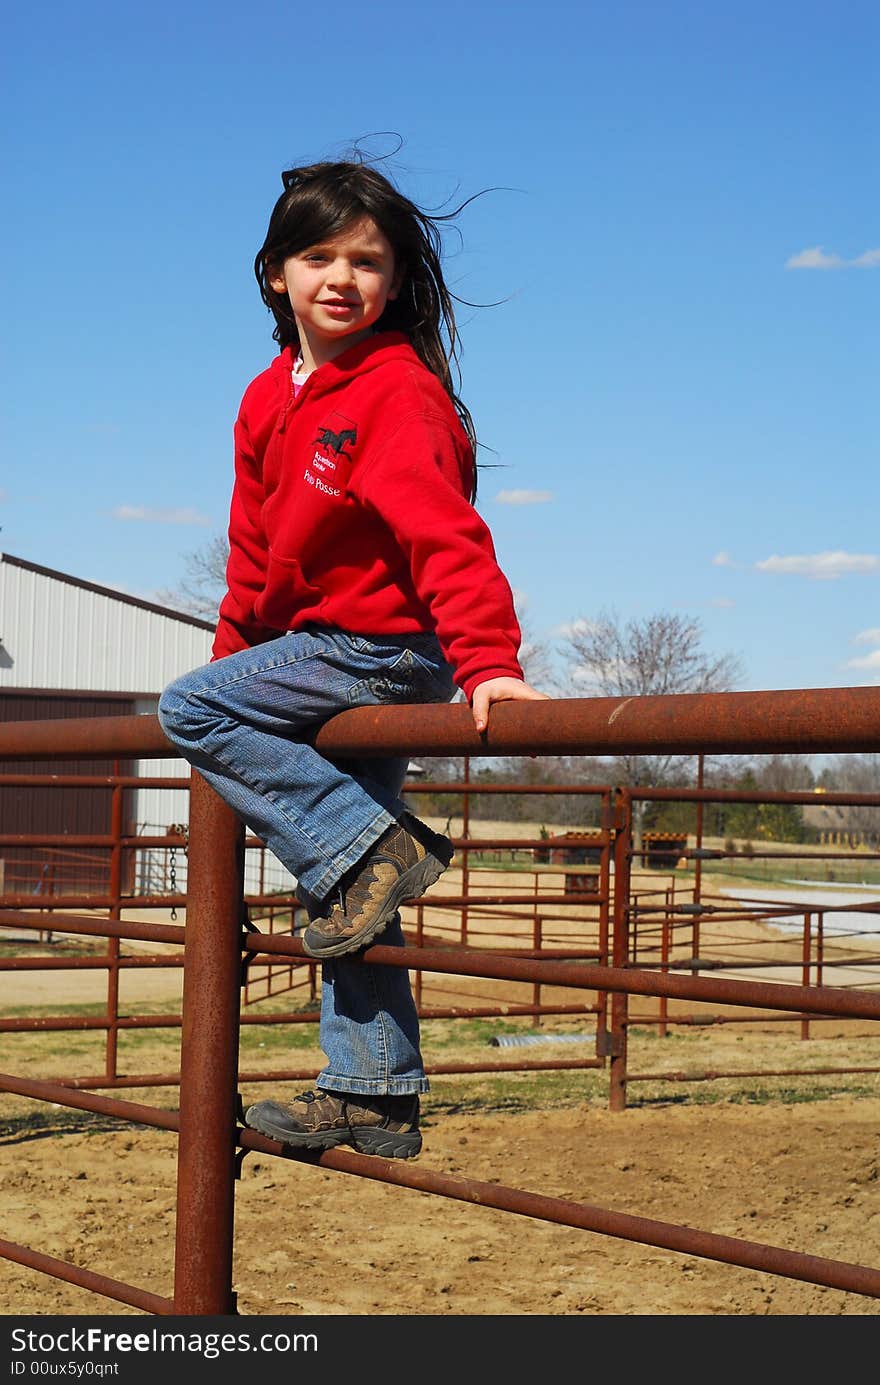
[339, 289]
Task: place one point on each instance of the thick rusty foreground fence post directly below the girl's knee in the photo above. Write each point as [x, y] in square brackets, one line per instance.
[210, 1057]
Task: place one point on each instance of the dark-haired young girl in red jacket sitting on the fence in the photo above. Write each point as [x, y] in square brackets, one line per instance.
[360, 574]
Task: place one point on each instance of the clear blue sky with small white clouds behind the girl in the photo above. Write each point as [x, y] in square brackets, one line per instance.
[678, 390]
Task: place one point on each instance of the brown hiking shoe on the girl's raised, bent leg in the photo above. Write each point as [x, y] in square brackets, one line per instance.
[400, 868]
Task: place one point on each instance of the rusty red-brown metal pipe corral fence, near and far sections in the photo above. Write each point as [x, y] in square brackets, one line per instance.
[220, 945]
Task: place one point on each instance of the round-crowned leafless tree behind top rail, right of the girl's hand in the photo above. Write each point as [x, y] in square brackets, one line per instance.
[660, 654]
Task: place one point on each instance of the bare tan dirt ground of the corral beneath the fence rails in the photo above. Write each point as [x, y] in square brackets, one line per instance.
[796, 1167]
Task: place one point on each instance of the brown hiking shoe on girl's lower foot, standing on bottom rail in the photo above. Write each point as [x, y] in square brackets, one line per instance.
[324, 1120]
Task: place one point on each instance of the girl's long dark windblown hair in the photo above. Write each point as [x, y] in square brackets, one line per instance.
[321, 202]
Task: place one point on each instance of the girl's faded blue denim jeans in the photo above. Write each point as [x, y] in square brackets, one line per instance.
[245, 724]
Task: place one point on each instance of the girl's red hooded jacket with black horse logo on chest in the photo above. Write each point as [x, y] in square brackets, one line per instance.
[351, 509]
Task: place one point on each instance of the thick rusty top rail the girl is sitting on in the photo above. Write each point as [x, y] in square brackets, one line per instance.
[806, 721]
